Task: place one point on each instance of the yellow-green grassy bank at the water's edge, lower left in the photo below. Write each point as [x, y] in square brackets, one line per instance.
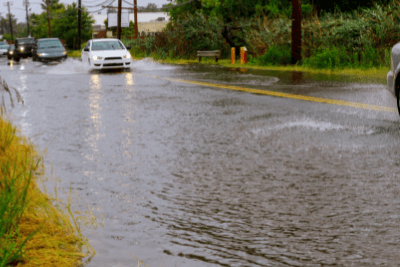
[35, 228]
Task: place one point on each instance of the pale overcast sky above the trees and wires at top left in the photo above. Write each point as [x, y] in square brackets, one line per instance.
[18, 9]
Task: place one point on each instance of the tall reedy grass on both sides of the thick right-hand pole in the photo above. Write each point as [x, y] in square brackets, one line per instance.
[361, 38]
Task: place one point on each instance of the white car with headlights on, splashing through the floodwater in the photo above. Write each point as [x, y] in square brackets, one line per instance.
[106, 53]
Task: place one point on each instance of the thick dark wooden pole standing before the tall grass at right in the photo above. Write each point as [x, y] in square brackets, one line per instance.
[296, 31]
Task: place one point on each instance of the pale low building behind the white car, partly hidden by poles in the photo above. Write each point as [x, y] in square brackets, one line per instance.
[148, 23]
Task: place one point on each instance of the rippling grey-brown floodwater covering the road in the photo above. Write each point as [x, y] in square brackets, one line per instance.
[189, 175]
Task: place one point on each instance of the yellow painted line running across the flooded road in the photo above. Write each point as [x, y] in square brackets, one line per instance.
[285, 95]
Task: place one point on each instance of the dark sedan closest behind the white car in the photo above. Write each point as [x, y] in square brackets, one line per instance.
[49, 49]
